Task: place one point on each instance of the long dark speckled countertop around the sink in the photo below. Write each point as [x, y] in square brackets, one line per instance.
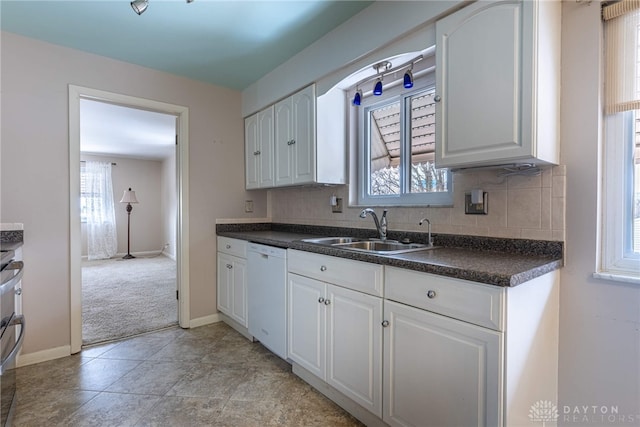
[494, 261]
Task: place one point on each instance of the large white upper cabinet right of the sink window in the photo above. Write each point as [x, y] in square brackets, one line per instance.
[497, 77]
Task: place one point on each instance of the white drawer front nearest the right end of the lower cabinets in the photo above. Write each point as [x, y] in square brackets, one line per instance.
[471, 302]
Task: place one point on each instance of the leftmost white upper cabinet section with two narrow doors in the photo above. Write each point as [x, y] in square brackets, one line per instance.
[258, 134]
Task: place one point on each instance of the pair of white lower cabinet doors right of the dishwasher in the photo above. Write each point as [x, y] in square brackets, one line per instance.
[336, 334]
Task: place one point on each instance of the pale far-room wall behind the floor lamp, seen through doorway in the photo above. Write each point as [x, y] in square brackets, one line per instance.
[145, 177]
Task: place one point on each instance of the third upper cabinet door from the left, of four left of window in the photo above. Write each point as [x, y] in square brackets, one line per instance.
[283, 142]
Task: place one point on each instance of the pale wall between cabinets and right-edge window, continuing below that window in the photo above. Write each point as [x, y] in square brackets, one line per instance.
[599, 319]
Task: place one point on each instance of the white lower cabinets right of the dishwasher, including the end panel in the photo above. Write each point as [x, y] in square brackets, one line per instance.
[421, 350]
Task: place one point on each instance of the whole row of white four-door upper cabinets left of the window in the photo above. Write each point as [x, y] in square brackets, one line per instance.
[308, 141]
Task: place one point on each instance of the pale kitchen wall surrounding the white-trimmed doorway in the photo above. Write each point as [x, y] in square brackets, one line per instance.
[34, 176]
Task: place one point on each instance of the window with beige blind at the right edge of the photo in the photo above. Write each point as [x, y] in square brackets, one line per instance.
[620, 254]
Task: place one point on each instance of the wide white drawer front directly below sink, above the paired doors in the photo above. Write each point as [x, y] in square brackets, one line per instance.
[357, 275]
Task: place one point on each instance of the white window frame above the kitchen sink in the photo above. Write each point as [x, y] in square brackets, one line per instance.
[394, 92]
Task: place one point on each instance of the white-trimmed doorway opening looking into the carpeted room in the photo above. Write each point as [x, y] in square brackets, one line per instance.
[158, 235]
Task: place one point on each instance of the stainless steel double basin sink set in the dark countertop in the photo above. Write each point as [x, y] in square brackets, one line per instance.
[374, 246]
